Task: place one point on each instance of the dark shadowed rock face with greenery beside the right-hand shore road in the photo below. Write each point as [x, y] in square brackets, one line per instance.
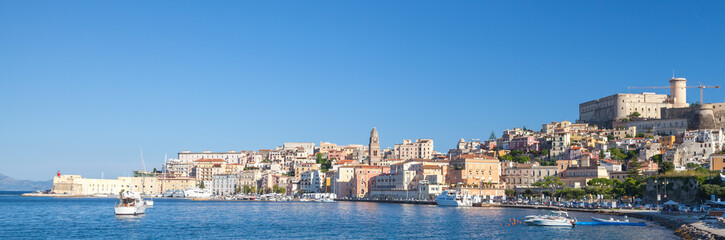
[681, 190]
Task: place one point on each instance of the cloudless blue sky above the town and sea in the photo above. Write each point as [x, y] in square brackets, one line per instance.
[85, 84]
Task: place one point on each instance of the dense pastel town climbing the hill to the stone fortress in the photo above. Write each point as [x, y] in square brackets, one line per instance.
[629, 139]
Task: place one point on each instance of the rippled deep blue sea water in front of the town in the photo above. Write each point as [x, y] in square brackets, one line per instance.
[75, 218]
